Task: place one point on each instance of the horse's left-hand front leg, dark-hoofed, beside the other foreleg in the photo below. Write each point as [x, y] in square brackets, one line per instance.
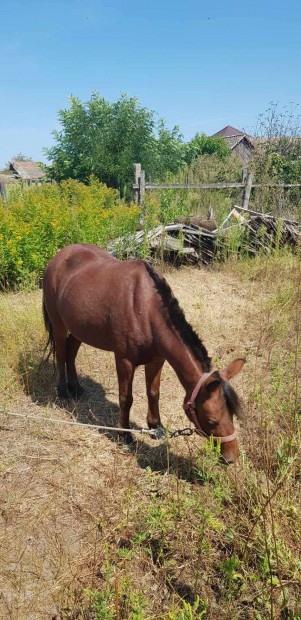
[125, 373]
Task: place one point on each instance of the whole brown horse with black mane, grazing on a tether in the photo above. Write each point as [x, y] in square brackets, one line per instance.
[128, 308]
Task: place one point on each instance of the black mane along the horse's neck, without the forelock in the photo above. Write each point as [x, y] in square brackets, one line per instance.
[177, 318]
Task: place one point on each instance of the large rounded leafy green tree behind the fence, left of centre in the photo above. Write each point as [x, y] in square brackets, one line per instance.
[105, 140]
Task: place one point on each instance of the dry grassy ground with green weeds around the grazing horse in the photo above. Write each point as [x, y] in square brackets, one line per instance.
[92, 530]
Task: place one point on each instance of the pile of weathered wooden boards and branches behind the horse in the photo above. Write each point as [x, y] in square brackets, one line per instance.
[186, 242]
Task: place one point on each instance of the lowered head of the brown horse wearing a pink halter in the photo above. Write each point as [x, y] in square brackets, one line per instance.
[212, 406]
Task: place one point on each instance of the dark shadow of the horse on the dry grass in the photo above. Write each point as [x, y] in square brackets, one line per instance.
[38, 380]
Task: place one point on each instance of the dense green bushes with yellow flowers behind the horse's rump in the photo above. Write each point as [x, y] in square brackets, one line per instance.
[36, 222]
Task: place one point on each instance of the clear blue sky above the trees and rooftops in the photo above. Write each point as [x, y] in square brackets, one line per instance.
[198, 64]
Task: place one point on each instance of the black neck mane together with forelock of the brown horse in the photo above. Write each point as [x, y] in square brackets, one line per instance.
[177, 318]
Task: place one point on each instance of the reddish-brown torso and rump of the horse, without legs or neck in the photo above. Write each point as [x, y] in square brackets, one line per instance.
[103, 301]
